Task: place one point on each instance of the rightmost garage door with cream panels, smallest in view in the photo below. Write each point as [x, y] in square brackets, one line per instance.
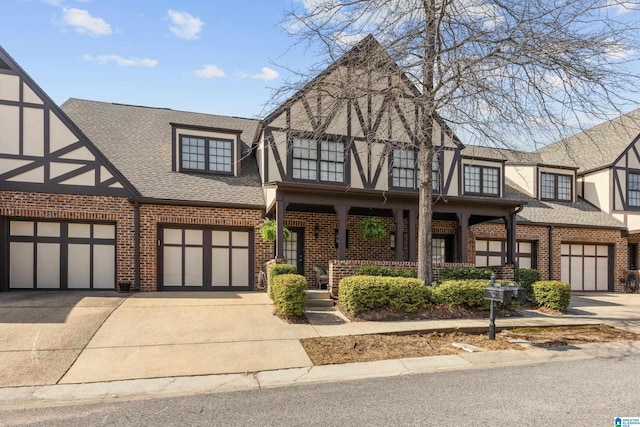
[585, 267]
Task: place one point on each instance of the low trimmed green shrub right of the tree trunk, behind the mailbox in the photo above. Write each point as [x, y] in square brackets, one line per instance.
[469, 293]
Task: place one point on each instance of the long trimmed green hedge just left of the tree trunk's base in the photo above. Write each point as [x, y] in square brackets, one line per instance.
[358, 294]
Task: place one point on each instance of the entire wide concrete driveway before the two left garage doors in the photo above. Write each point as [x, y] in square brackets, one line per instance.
[77, 337]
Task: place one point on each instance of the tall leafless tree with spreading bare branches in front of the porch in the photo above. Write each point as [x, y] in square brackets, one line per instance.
[500, 73]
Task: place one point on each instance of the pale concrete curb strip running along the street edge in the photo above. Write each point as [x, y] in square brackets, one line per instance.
[70, 394]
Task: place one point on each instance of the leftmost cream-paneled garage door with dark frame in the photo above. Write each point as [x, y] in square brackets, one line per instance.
[61, 255]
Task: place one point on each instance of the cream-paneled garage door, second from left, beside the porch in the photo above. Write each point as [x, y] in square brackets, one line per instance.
[205, 259]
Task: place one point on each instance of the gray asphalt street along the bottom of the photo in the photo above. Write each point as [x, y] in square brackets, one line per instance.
[589, 392]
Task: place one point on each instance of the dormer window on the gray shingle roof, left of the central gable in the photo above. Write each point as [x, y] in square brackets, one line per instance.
[206, 154]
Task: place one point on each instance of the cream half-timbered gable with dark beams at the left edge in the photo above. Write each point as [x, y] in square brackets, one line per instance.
[45, 149]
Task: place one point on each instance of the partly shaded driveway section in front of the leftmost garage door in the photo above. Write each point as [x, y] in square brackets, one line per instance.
[43, 333]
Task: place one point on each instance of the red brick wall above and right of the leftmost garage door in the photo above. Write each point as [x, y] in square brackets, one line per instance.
[65, 207]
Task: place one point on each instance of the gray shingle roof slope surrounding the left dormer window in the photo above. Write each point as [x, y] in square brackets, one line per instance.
[138, 140]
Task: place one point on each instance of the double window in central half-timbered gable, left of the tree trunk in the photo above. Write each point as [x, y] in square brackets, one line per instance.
[318, 161]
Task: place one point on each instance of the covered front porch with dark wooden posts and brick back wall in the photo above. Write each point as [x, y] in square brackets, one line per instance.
[325, 225]
